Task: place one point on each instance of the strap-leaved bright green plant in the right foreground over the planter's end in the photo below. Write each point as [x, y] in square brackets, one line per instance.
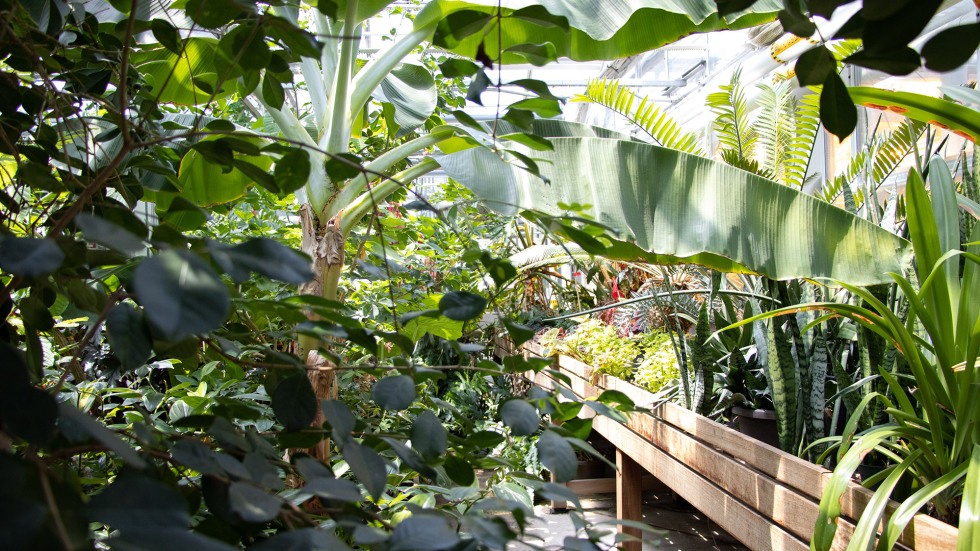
[931, 436]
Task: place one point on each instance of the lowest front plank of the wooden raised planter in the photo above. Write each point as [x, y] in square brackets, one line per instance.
[750, 527]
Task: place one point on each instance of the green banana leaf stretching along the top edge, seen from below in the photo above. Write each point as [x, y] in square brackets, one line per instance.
[598, 29]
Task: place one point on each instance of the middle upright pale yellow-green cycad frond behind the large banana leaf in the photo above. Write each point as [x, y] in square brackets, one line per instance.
[776, 127]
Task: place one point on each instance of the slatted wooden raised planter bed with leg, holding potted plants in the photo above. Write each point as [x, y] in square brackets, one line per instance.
[766, 498]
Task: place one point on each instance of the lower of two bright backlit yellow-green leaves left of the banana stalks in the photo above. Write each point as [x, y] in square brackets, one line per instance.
[206, 183]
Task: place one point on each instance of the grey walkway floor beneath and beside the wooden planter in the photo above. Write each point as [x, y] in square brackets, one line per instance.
[679, 527]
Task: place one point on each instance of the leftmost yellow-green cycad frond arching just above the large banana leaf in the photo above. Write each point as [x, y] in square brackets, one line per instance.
[663, 129]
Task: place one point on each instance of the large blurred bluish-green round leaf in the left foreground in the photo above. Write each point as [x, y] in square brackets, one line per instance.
[180, 294]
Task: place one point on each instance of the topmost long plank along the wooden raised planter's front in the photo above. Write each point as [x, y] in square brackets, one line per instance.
[923, 533]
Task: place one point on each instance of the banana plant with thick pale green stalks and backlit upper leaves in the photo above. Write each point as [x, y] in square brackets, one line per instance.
[263, 56]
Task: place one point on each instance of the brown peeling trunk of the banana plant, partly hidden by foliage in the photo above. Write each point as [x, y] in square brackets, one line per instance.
[325, 245]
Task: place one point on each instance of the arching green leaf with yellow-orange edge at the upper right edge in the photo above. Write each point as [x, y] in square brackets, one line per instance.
[958, 119]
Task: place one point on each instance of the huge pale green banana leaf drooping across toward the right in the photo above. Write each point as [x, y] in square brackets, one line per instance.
[673, 207]
